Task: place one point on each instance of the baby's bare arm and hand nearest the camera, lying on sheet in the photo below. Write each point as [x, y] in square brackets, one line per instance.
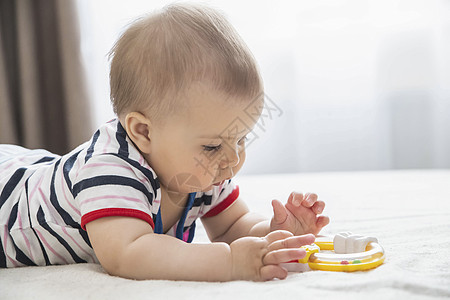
[127, 247]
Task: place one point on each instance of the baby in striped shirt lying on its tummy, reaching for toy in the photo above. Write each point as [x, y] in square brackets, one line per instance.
[183, 84]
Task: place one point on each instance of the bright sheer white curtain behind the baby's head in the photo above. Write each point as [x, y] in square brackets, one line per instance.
[357, 85]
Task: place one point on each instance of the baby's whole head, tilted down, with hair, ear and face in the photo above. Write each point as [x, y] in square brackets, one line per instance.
[183, 75]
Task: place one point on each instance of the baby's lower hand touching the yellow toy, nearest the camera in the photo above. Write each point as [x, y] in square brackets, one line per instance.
[258, 259]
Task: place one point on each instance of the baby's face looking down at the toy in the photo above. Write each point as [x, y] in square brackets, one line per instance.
[205, 145]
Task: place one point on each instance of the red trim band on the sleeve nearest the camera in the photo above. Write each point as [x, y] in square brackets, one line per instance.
[117, 212]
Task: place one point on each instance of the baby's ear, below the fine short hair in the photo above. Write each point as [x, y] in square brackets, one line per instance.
[139, 129]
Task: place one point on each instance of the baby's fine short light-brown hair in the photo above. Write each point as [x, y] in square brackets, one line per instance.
[162, 54]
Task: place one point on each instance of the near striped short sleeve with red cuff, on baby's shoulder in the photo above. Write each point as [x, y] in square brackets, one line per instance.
[107, 185]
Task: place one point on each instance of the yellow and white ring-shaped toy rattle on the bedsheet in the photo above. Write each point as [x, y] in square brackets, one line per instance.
[351, 253]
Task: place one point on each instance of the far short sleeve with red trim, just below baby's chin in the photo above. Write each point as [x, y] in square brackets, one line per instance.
[222, 198]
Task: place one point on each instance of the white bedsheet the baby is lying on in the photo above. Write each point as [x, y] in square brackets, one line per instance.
[409, 212]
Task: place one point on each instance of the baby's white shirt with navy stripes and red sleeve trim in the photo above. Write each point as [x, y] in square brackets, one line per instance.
[46, 200]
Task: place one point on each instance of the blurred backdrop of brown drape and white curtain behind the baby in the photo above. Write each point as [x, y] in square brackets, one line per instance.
[356, 85]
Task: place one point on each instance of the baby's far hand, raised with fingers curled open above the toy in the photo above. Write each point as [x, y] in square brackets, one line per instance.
[299, 215]
